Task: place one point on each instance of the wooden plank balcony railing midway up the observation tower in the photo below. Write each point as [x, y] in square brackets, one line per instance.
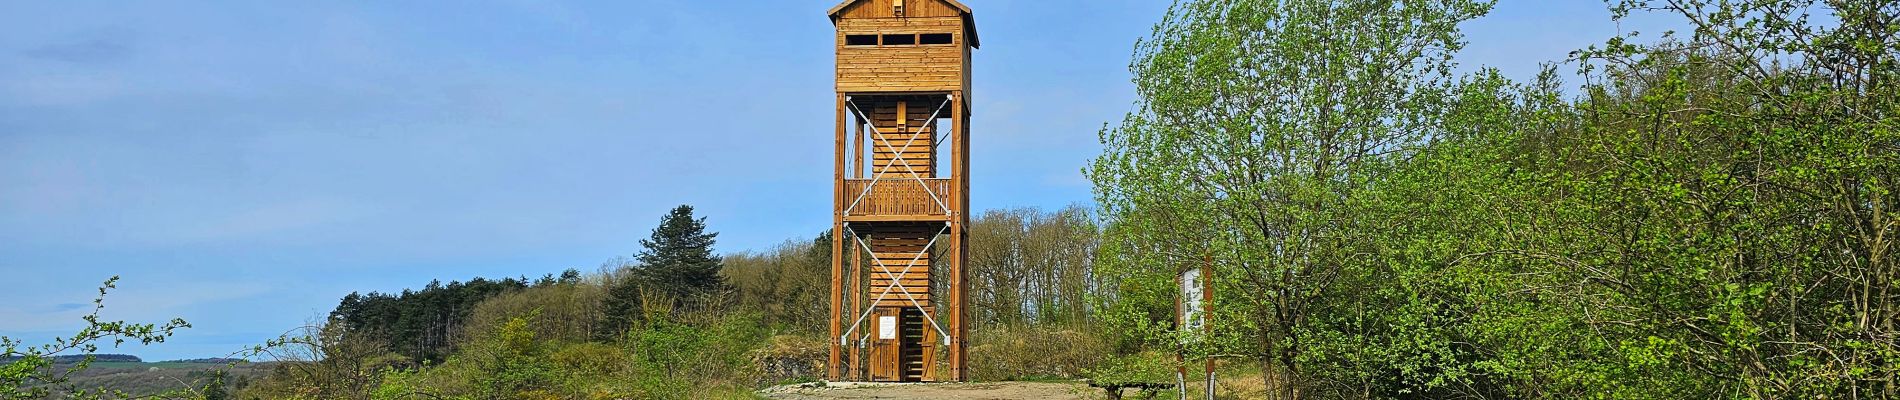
[898, 200]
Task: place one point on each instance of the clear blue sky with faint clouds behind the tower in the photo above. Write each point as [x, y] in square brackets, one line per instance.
[248, 164]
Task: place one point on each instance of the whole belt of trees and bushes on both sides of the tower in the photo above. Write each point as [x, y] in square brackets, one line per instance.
[1684, 215]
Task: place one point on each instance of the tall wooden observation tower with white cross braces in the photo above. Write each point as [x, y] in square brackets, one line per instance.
[902, 191]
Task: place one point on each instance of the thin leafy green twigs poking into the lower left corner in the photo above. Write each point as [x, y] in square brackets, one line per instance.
[29, 371]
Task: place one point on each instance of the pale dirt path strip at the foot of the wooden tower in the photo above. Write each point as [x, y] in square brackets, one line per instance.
[936, 391]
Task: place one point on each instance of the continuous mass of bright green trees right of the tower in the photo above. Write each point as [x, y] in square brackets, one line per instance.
[1711, 219]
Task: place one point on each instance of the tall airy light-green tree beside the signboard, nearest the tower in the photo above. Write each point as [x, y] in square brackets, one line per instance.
[1261, 128]
